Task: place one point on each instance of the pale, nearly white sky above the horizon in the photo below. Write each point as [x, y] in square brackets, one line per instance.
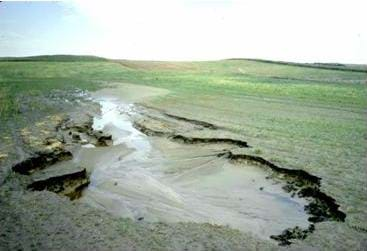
[287, 30]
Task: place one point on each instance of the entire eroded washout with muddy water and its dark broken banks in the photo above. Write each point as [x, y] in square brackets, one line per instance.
[146, 164]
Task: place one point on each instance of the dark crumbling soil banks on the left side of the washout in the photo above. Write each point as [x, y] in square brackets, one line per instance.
[57, 146]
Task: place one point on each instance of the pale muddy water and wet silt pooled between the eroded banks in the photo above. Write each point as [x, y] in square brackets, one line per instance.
[153, 179]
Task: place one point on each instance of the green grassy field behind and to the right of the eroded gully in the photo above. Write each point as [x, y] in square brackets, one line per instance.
[297, 116]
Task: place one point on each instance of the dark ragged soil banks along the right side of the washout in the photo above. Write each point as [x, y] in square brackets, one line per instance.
[321, 207]
